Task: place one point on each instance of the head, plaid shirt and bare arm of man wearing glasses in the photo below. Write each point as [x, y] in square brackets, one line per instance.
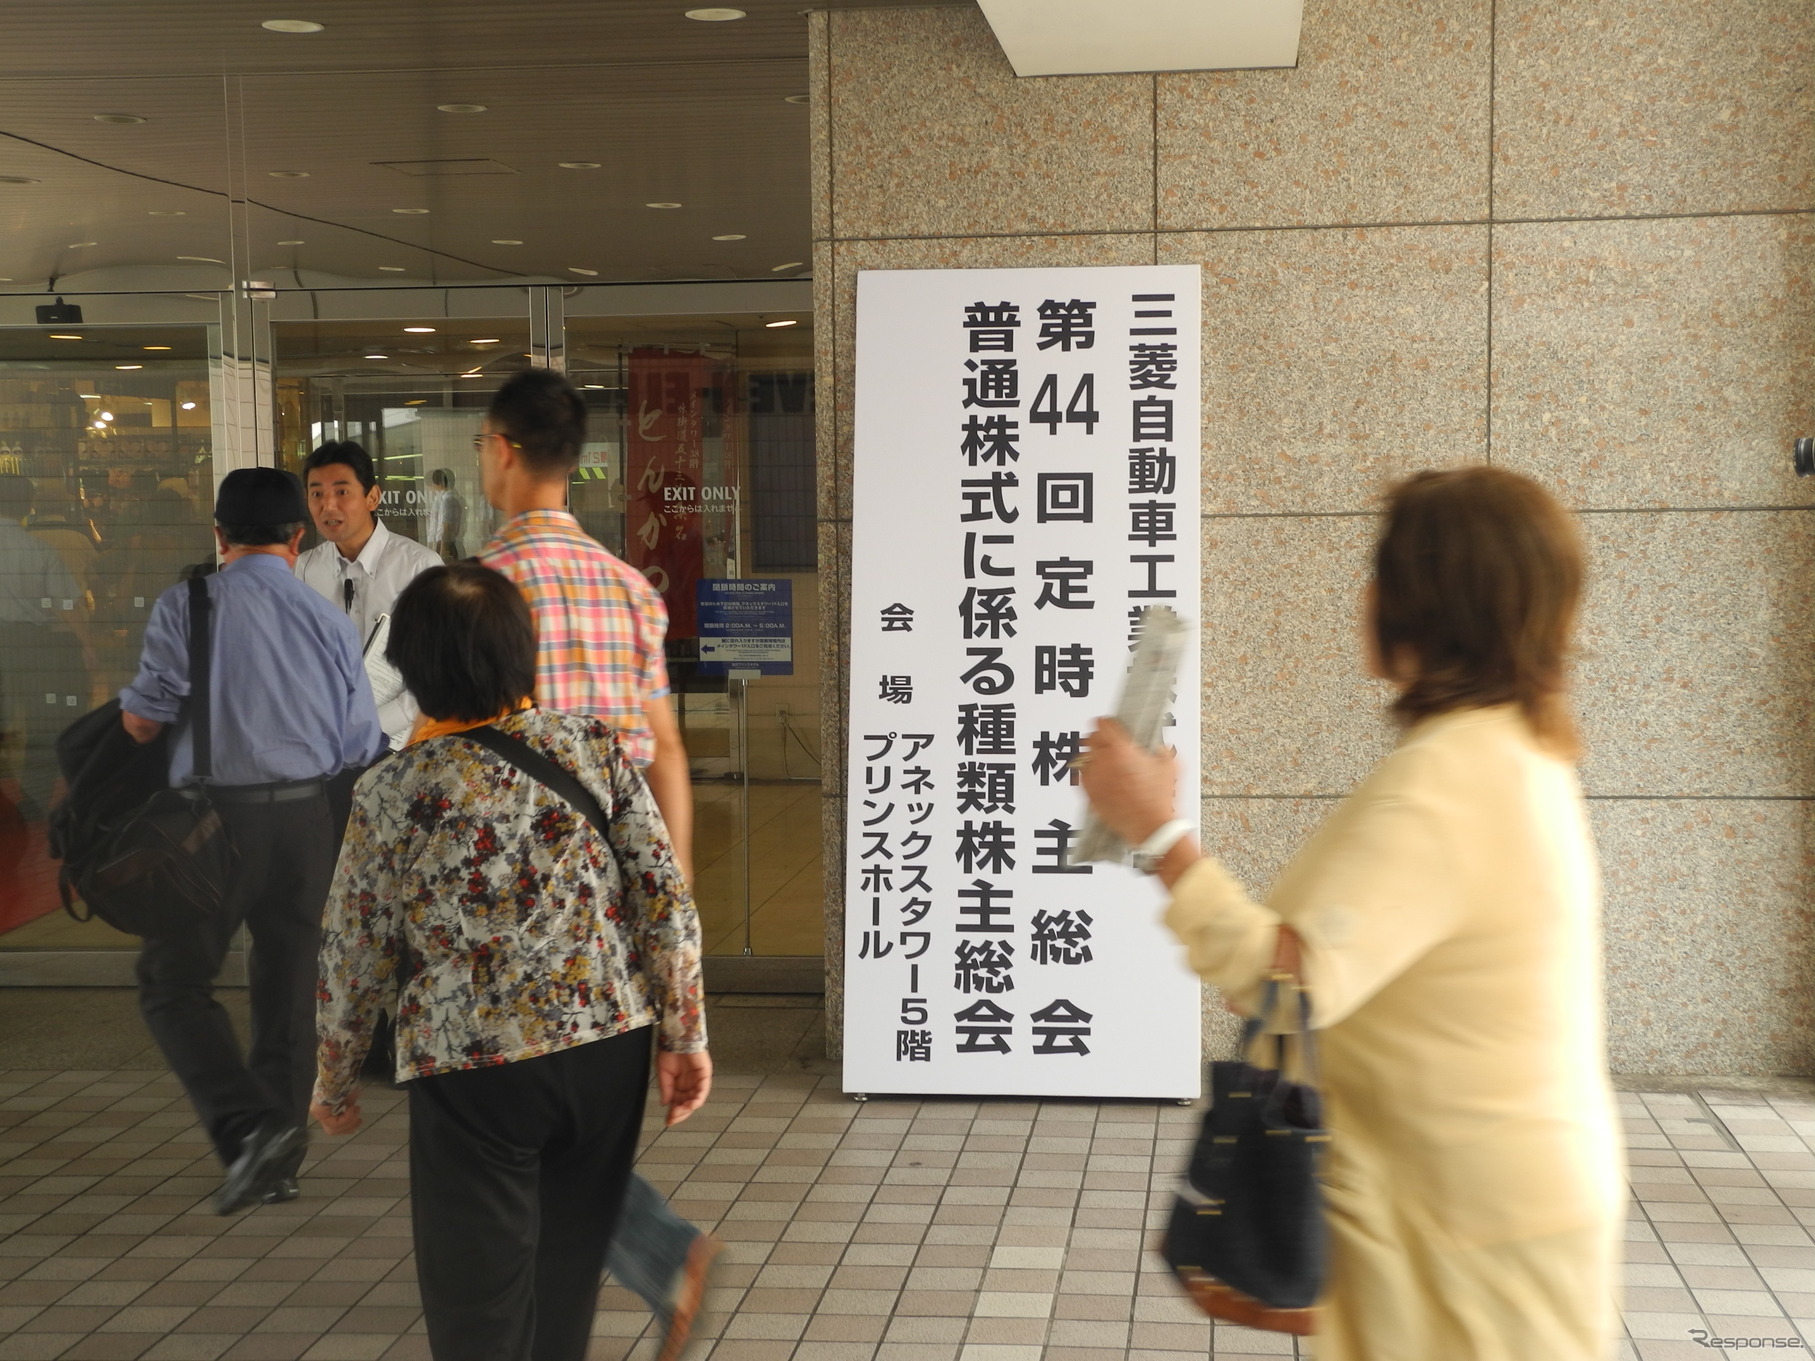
[600, 623]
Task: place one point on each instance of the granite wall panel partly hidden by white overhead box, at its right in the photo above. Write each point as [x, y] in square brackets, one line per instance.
[1386, 119]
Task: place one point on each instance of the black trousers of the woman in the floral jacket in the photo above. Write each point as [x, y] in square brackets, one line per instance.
[516, 1180]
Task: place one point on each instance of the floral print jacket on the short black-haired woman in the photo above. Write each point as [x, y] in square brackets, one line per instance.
[493, 921]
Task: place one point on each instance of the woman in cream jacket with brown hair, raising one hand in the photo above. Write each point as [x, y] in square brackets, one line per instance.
[1447, 930]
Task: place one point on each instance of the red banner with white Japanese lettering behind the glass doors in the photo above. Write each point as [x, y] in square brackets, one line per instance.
[663, 475]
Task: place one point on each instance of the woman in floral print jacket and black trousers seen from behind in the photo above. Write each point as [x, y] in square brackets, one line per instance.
[527, 961]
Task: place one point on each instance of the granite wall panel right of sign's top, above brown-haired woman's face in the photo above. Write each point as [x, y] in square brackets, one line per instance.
[1337, 362]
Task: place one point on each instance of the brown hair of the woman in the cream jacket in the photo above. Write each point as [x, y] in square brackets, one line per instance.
[1478, 578]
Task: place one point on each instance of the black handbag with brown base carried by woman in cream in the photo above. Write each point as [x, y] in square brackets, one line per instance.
[1246, 1237]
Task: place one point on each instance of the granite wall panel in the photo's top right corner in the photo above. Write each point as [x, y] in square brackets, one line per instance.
[1642, 108]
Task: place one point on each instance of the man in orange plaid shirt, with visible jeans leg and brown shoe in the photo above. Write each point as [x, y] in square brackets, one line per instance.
[600, 631]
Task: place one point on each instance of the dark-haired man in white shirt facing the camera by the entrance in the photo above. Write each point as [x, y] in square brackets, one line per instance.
[362, 565]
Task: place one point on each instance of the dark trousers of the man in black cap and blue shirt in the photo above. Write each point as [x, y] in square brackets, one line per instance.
[279, 890]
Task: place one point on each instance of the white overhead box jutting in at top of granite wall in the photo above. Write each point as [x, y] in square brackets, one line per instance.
[1095, 37]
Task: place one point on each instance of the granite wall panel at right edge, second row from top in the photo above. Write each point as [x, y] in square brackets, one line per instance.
[1656, 364]
